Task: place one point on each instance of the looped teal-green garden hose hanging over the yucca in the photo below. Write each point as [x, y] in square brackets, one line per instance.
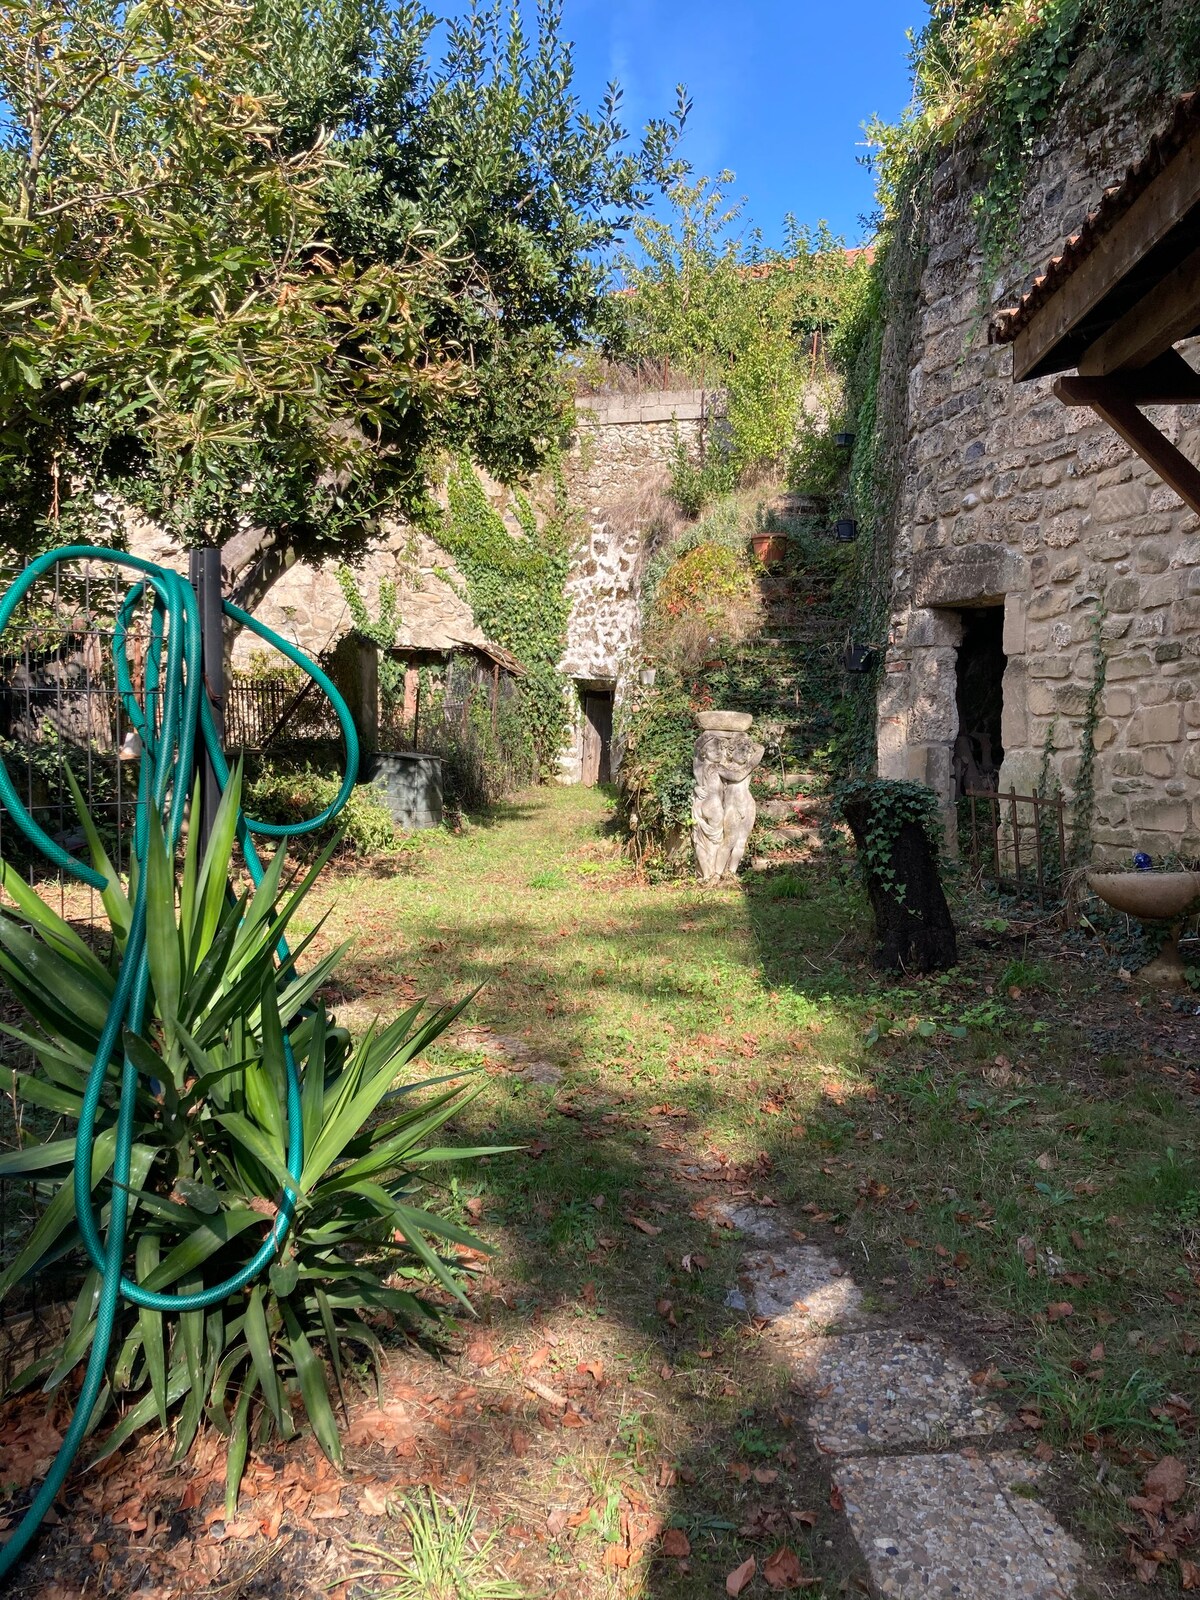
[167, 719]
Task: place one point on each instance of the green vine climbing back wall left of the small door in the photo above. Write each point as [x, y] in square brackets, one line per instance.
[516, 590]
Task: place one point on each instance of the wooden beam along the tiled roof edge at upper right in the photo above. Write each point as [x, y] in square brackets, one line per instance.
[1118, 252]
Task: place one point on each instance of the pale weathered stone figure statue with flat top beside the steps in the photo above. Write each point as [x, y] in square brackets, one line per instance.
[722, 806]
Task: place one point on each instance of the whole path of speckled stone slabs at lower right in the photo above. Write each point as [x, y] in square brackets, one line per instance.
[934, 1522]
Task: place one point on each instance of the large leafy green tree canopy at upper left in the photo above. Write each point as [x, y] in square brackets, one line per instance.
[263, 260]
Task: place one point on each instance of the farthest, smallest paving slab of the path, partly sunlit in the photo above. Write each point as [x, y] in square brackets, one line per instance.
[798, 1286]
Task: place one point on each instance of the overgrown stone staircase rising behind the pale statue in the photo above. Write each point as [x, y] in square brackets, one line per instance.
[790, 676]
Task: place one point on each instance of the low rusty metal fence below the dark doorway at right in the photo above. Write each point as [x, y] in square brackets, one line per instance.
[1020, 842]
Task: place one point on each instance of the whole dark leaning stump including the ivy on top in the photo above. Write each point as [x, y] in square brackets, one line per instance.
[897, 828]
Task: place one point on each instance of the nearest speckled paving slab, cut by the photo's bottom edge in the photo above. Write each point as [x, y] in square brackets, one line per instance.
[948, 1529]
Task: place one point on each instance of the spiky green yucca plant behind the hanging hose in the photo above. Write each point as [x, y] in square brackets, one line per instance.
[210, 1151]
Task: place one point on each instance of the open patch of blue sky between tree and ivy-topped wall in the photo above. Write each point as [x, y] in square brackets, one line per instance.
[780, 90]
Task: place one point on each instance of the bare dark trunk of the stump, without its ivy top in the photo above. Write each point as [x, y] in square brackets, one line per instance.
[913, 922]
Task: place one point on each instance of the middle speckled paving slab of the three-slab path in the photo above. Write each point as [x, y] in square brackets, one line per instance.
[881, 1390]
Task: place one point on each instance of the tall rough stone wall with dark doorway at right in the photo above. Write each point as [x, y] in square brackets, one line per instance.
[1010, 498]
